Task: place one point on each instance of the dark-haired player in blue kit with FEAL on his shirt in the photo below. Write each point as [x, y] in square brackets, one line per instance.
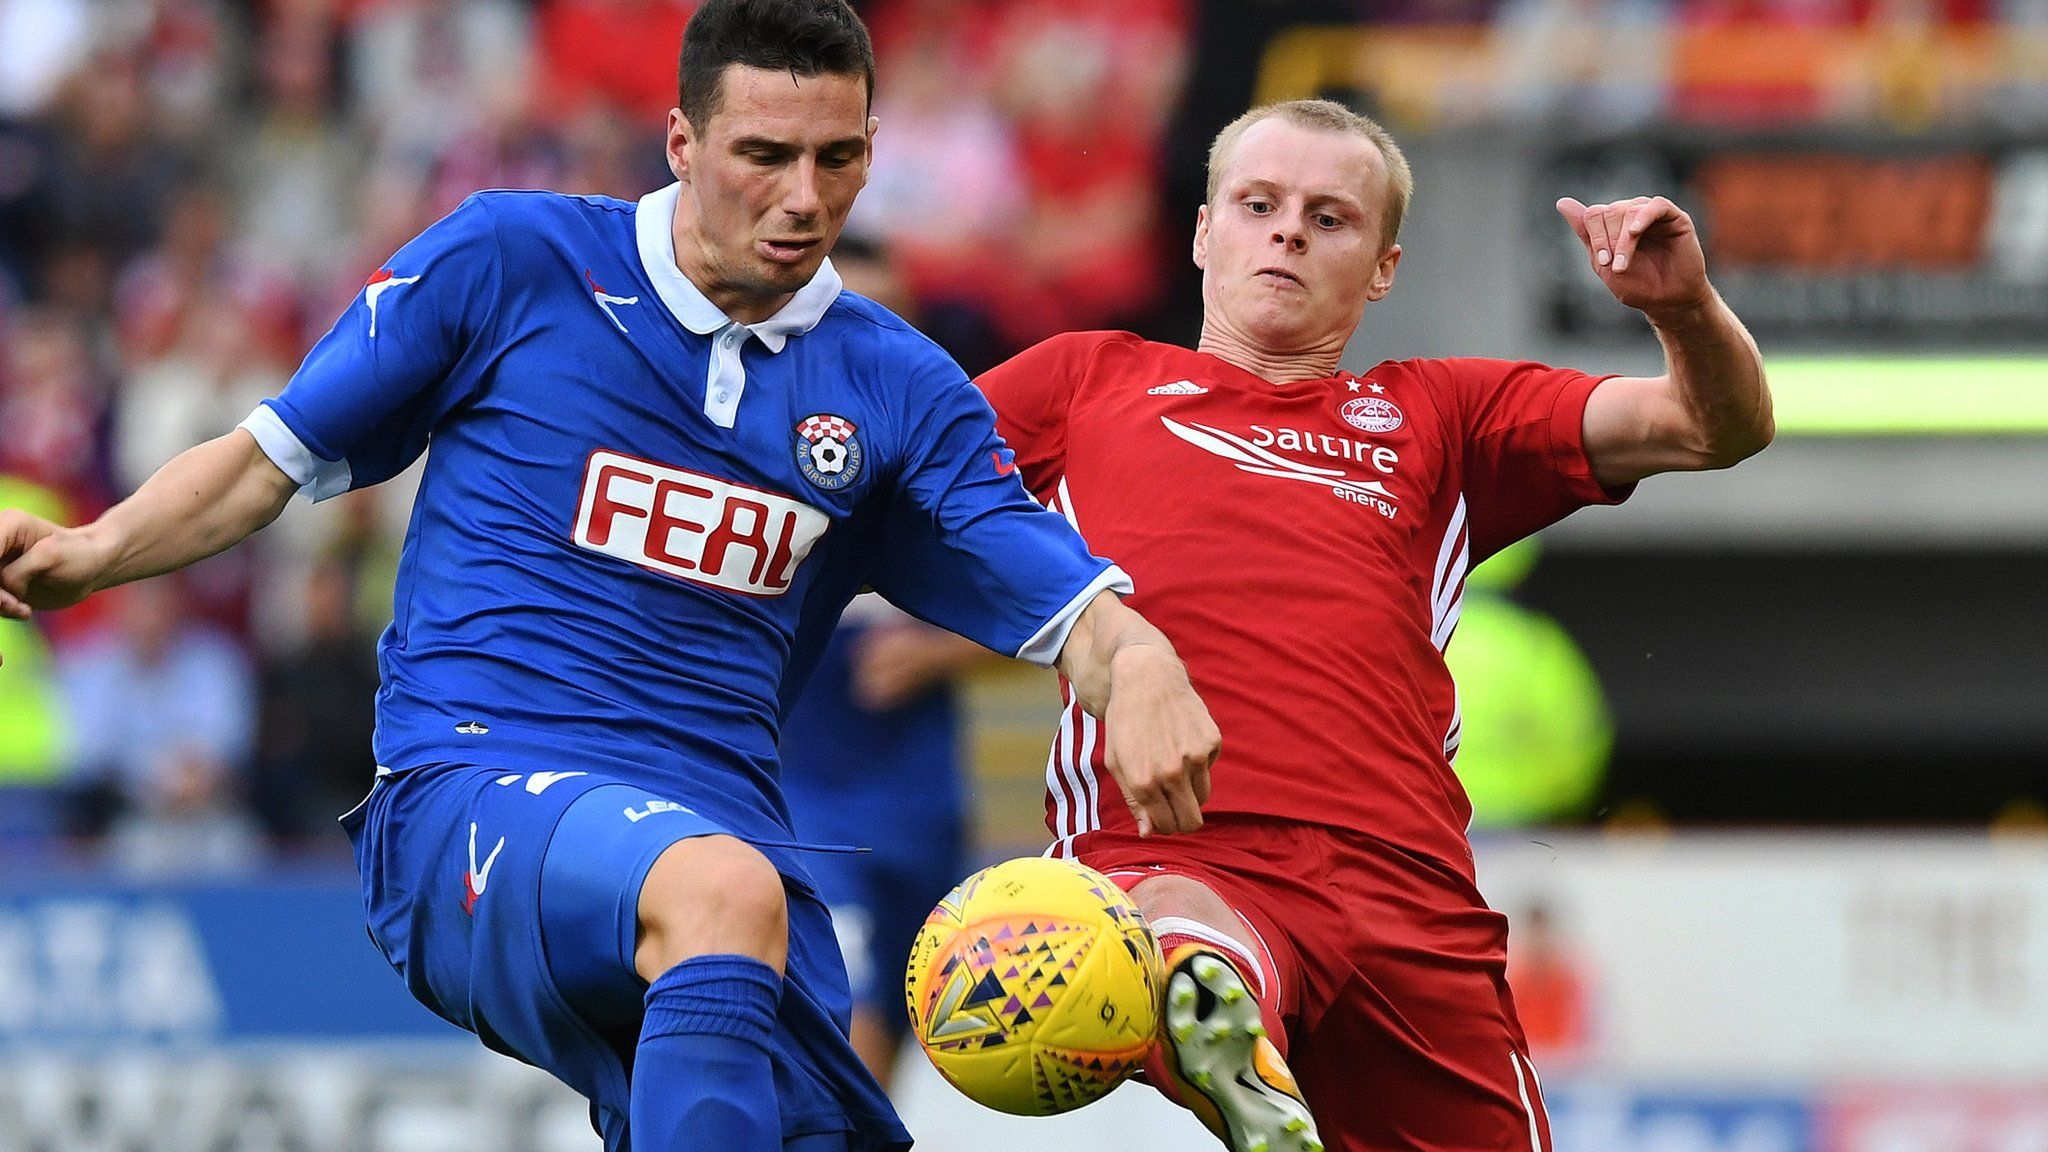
[667, 452]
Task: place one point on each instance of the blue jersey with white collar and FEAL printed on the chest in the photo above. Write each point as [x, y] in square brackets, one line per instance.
[640, 518]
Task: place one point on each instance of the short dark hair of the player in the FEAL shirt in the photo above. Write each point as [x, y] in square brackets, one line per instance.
[804, 38]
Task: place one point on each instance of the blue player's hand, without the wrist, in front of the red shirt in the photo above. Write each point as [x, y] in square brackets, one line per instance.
[1162, 741]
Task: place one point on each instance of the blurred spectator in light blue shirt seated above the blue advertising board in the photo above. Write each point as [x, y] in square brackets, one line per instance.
[163, 716]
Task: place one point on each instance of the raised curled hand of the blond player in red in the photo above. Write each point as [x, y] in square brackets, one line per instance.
[1646, 251]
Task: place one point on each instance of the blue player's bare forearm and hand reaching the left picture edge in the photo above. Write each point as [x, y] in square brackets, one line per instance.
[200, 503]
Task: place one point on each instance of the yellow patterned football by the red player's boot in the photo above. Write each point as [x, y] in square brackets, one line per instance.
[1035, 987]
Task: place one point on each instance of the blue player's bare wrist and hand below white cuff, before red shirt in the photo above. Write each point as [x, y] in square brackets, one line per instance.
[1160, 735]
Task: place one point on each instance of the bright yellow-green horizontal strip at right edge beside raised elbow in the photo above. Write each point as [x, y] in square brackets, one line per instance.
[1910, 397]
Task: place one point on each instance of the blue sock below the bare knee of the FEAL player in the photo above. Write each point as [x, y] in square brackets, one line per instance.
[701, 1073]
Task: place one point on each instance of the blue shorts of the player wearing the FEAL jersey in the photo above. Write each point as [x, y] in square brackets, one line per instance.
[509, 901]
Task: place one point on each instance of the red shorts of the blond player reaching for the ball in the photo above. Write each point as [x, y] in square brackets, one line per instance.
[1392, 981]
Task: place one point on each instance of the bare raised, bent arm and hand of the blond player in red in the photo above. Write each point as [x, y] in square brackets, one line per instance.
[1713, 407]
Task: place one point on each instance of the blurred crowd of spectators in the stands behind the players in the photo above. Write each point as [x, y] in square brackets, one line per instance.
[194, 190]
